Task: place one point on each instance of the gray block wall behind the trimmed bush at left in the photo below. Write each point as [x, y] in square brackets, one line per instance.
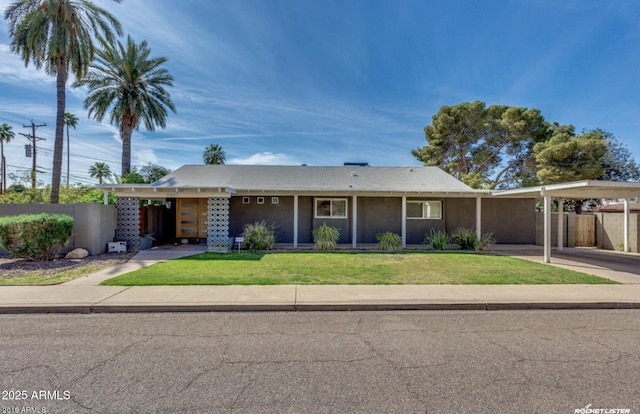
[94, 226]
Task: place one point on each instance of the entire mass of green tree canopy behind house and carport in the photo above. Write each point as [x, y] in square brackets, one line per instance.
[503, 146]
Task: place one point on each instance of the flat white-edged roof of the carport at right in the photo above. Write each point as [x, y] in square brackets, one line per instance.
[576, 190]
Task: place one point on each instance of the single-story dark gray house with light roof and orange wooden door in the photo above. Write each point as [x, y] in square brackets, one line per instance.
[215, 203]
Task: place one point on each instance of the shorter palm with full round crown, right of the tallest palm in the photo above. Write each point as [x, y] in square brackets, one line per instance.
[125, 82]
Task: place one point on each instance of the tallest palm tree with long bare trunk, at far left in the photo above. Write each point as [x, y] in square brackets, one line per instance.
[58, 35]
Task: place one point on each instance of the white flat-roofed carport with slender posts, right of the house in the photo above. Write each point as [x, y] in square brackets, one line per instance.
[576, 190]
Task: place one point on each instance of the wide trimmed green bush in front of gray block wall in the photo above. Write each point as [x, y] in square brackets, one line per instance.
[35, 236]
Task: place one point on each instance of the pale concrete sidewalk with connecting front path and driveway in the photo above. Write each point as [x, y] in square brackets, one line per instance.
[84, 296]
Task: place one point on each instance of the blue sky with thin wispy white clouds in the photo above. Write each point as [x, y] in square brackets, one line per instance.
[324, 82]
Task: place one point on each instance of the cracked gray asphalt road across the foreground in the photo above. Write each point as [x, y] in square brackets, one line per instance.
[331, 362]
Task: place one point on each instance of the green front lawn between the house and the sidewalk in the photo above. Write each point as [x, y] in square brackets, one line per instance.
[350, 268]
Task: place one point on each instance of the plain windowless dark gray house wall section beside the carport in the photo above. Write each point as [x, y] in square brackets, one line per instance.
[512, 221]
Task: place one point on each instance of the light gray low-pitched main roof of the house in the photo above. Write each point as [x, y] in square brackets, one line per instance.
[344, 179]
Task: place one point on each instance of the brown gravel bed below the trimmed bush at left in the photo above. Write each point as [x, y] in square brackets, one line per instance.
[19, 267]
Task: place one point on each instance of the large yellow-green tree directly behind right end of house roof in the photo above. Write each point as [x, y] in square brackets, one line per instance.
[484, 146]
